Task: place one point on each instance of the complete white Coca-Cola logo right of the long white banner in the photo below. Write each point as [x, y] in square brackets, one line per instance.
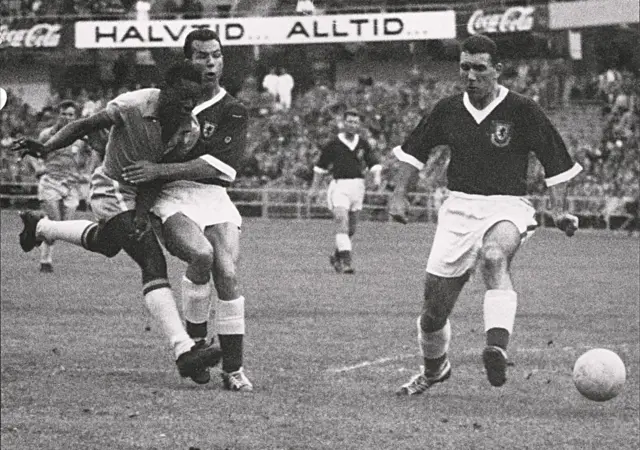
[517, 18]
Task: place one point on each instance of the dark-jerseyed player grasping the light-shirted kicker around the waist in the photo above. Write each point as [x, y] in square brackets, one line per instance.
[200, 223]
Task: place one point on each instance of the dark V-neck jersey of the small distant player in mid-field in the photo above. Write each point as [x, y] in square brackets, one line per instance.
[346, 159]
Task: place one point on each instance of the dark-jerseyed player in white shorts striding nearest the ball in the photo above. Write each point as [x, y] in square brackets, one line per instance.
[490, 132]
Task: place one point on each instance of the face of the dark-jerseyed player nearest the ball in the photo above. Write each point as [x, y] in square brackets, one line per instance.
[479, 74]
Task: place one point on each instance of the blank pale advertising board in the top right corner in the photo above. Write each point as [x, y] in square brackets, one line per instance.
[592, 13]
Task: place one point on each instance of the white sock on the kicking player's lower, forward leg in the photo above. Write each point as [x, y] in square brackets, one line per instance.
[162, 306]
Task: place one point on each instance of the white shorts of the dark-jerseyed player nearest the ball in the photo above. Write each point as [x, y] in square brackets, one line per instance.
[464, 219]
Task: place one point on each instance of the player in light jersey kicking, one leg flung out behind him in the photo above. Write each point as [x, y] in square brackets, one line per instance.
[145, 124]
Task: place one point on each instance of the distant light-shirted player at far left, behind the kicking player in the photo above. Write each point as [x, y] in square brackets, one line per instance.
[60, 174]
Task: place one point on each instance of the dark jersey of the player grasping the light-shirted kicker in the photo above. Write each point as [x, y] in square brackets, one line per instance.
[223, 136]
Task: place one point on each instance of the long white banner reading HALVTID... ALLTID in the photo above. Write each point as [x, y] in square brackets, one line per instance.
[270, 30]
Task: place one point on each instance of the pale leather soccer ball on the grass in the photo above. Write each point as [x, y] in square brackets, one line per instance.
[599, 374]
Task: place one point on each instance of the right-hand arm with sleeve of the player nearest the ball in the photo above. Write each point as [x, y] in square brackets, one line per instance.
[558, 166]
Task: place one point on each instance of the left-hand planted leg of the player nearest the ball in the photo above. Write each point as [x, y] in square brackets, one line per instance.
[434, 331]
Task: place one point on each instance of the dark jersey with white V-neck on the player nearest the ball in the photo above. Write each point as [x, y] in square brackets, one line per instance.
[490, 147]
